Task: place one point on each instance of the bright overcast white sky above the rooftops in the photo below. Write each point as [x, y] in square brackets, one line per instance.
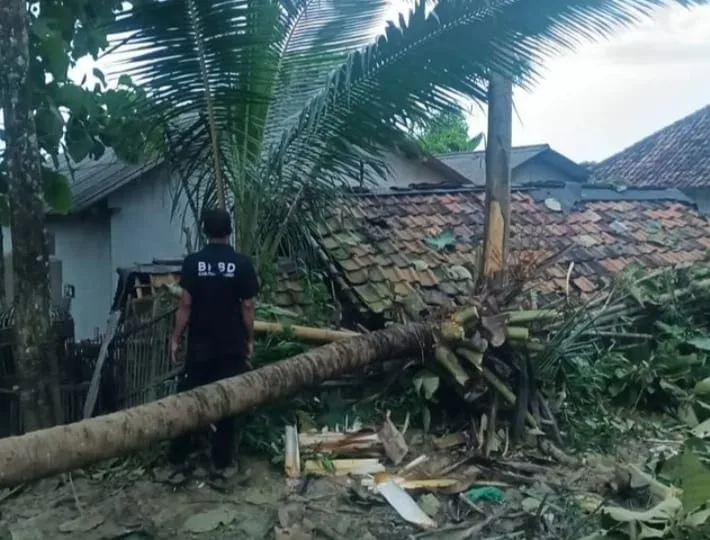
[607, 95]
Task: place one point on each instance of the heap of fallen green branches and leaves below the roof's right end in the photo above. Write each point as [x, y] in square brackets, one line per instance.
[644, 348]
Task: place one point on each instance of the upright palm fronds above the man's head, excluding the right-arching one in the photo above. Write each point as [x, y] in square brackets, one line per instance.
[218, 73]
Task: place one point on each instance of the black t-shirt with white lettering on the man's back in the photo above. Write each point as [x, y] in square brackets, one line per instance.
[218, 279]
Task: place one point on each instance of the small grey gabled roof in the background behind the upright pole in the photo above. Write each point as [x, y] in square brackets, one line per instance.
[472, 165]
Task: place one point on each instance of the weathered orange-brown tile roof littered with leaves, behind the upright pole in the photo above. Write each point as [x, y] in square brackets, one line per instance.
[392, 249]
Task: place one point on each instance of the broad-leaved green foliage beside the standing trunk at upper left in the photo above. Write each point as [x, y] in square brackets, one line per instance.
[74, 122]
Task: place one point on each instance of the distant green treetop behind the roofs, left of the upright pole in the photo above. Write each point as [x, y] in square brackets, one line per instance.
[447, 132]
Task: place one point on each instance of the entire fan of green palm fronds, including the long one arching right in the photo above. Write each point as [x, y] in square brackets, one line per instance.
[283, 101]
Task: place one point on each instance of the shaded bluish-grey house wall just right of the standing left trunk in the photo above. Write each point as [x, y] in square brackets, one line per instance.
[81, 259]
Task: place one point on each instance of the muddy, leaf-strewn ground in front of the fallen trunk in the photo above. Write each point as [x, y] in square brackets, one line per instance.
[133, 504]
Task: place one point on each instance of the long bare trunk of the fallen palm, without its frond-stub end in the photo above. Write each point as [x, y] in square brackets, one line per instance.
[64, 448]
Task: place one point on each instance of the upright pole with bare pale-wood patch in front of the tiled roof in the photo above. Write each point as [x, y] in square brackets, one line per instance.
[498, 148]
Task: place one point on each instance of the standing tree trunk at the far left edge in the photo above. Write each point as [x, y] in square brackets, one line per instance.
[35, 359]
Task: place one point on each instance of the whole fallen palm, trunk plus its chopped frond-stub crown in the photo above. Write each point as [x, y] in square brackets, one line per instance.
[479, 328]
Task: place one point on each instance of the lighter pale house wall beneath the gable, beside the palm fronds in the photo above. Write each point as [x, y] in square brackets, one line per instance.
[142, 225]
